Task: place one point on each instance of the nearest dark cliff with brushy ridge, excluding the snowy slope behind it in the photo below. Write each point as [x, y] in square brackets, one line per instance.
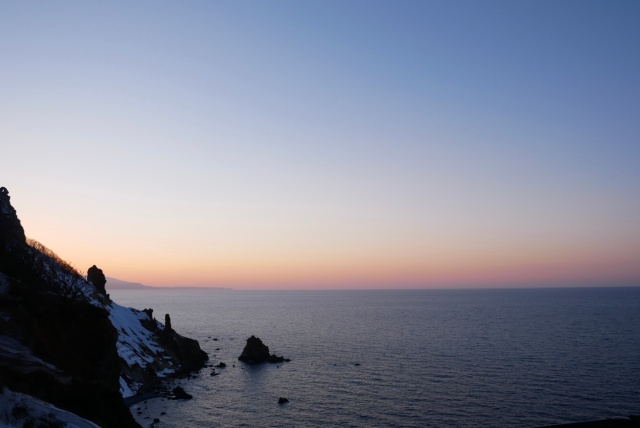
[57, 346]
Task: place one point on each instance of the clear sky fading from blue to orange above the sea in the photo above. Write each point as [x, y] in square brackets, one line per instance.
[327, 144]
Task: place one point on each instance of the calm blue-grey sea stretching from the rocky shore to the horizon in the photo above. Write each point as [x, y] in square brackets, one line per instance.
[428, 358]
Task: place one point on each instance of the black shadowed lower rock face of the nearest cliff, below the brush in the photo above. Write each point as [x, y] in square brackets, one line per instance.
[62, 352]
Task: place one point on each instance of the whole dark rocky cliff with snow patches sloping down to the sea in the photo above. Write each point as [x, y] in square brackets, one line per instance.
[65, 344]
